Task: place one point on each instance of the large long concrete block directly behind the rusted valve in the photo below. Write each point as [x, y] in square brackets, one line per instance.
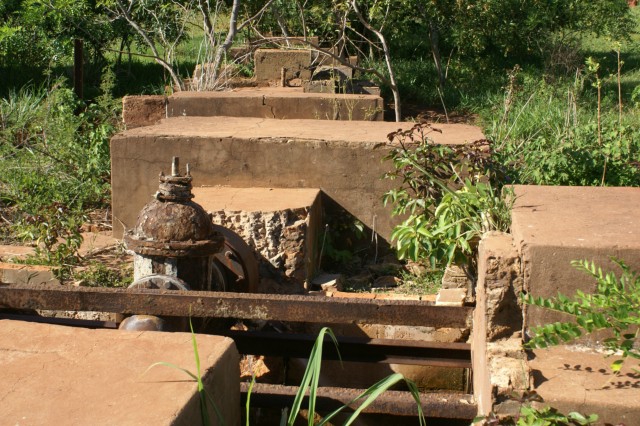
[343, 158]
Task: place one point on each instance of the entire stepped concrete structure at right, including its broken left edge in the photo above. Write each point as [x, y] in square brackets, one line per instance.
[550, 227]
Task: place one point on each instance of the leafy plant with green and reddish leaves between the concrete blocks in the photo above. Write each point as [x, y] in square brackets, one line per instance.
[446, 192]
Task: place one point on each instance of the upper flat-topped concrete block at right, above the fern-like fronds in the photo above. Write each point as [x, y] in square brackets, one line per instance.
[553, 225]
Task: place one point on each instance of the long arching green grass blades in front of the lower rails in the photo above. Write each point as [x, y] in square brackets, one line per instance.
[311, 379]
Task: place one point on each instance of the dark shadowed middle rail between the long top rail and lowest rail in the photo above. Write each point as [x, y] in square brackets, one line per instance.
[387, 351]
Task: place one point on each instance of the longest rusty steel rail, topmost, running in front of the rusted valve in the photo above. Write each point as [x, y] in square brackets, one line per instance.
[290, 308]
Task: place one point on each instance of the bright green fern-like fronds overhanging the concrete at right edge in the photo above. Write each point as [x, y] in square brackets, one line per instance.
[615, 306]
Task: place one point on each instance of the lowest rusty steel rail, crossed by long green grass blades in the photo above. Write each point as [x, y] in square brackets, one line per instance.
[399, 403]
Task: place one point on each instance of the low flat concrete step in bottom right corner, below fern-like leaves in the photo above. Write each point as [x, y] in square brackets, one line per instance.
[577, 379]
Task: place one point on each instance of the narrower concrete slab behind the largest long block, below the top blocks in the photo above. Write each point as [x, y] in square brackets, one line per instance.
[268, 102]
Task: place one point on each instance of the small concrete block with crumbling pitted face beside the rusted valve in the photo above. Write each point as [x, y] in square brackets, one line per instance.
[280, 225]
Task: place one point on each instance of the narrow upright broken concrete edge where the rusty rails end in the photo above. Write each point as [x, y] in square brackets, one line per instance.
[499, 361]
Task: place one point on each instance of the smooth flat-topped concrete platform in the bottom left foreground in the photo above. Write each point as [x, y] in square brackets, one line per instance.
[54, 375]
